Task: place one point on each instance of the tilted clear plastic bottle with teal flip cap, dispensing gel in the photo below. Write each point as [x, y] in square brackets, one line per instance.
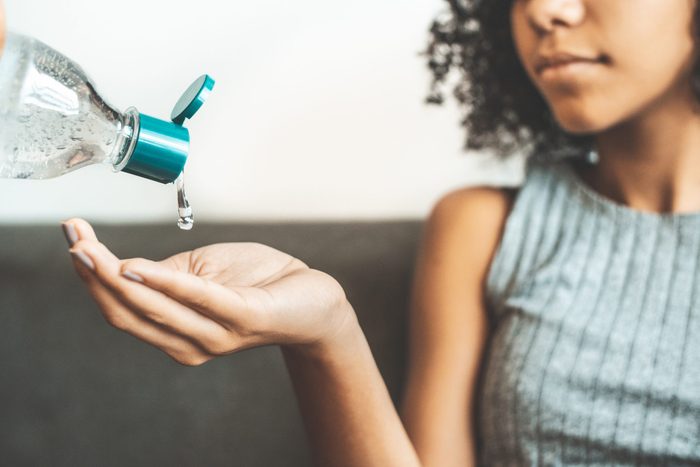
[53, 121]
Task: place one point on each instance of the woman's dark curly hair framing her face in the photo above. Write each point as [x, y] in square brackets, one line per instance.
[503, 110]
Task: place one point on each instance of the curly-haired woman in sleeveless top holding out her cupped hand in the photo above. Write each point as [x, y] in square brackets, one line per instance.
[574, 295]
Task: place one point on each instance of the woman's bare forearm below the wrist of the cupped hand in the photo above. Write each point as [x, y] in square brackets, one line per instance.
[349, 415]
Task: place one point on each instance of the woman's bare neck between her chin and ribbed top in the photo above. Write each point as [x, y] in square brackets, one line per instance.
[652, 162]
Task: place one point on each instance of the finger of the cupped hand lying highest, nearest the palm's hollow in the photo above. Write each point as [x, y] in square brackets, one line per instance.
[232, 307]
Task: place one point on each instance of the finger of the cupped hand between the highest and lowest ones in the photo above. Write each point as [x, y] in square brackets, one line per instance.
[152, 304]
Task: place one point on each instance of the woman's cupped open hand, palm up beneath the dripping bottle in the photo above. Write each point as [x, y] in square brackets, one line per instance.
[214, 300]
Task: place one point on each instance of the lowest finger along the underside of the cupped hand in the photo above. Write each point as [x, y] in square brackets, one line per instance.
[121, 317]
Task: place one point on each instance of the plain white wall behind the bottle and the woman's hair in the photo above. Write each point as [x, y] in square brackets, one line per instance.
[317, 112]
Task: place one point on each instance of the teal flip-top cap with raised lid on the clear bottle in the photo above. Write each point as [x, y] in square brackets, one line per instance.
[162, 147]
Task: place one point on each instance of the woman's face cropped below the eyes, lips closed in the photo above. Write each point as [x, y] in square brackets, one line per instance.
[633, 54]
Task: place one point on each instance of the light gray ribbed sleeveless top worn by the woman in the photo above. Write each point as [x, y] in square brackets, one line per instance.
[594, 355]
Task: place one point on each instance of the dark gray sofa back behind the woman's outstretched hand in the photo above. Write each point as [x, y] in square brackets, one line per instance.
[76, 392]
